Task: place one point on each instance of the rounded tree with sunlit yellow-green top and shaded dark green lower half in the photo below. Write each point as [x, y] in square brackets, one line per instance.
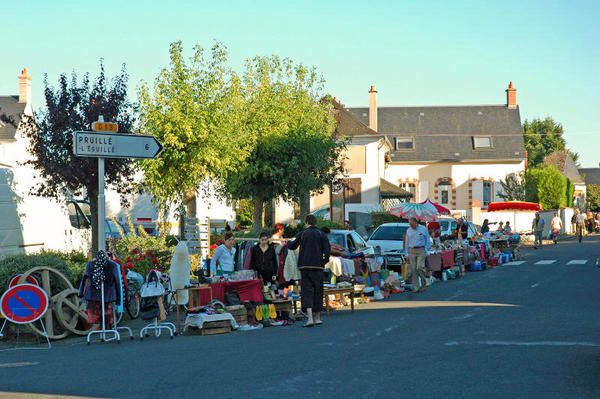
[293, 149]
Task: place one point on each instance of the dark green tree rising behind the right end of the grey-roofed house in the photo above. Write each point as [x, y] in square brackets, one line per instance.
[542, 137]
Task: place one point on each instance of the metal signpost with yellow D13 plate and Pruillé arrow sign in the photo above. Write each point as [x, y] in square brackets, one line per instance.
[104, 143]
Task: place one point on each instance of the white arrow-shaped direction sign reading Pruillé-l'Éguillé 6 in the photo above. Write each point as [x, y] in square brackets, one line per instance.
[115, 145]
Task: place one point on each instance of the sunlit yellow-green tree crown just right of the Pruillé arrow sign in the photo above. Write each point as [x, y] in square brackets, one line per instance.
[192, 110]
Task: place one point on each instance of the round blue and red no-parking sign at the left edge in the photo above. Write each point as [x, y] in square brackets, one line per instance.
[24, 303]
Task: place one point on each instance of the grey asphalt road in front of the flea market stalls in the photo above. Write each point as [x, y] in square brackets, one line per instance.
[519, 331]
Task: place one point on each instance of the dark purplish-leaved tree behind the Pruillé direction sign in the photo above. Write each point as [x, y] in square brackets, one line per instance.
[73, 105]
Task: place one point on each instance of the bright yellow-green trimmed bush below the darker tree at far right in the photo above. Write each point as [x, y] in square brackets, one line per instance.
[547, 186]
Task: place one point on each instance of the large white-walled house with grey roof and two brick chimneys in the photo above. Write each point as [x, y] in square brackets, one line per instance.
[450, 154]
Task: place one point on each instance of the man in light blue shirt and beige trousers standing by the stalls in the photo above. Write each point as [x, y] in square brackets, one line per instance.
[416, 245]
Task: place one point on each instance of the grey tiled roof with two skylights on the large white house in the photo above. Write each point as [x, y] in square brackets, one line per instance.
[442, 132]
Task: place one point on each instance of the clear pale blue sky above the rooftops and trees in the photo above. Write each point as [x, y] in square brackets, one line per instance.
[415, 52]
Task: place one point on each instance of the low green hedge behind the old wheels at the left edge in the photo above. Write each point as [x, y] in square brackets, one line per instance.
[18, 264]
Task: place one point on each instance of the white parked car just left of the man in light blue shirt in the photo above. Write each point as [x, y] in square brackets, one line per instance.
[389, 237]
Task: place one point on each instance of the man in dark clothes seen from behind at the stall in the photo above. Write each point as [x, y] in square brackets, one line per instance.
[314, 254]
